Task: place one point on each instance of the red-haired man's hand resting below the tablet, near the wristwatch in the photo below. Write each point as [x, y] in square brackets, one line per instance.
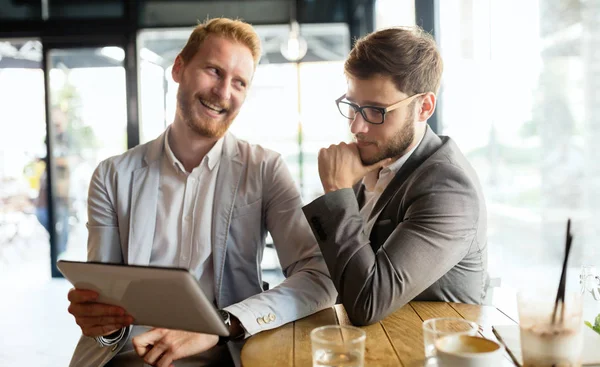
[161, 347]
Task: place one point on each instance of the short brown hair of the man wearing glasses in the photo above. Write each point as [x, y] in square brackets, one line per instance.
[408, 54]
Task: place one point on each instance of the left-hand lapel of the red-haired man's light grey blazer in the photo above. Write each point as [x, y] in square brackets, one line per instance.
[144, 199]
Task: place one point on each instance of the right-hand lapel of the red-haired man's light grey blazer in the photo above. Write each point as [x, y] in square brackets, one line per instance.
[228, 180]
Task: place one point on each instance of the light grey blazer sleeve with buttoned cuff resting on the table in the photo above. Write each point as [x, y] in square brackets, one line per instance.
[307, 287]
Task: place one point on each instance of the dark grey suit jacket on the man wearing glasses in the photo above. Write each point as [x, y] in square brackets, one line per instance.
[428, 242]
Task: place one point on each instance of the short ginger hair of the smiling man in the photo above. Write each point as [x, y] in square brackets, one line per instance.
[235, 30]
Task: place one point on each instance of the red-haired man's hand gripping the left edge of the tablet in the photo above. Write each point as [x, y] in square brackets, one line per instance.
[96, 319]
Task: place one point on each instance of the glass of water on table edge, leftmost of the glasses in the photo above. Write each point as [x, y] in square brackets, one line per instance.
[337, 346]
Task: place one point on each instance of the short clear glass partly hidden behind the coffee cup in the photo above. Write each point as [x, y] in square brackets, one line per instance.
[440, 327]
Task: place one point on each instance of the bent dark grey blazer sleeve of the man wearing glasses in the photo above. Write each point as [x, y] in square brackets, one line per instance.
[436, 232]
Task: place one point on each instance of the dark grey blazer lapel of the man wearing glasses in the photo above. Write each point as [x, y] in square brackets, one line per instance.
[430, 143]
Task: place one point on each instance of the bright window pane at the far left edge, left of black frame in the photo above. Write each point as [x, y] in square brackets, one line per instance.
[22, 149]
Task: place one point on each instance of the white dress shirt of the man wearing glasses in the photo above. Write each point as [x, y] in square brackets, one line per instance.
[375, 183]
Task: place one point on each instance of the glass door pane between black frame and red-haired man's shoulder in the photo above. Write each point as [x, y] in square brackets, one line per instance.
[87, 117]
